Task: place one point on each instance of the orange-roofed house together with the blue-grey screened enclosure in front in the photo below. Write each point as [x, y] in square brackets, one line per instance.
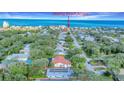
[61, 69]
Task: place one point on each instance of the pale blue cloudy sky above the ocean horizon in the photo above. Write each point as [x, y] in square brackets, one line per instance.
[53, 16]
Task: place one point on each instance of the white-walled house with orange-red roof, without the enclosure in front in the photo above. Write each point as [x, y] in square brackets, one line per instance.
[60, 62]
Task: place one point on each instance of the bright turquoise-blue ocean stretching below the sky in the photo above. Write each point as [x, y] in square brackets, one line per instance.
[73, 23]
